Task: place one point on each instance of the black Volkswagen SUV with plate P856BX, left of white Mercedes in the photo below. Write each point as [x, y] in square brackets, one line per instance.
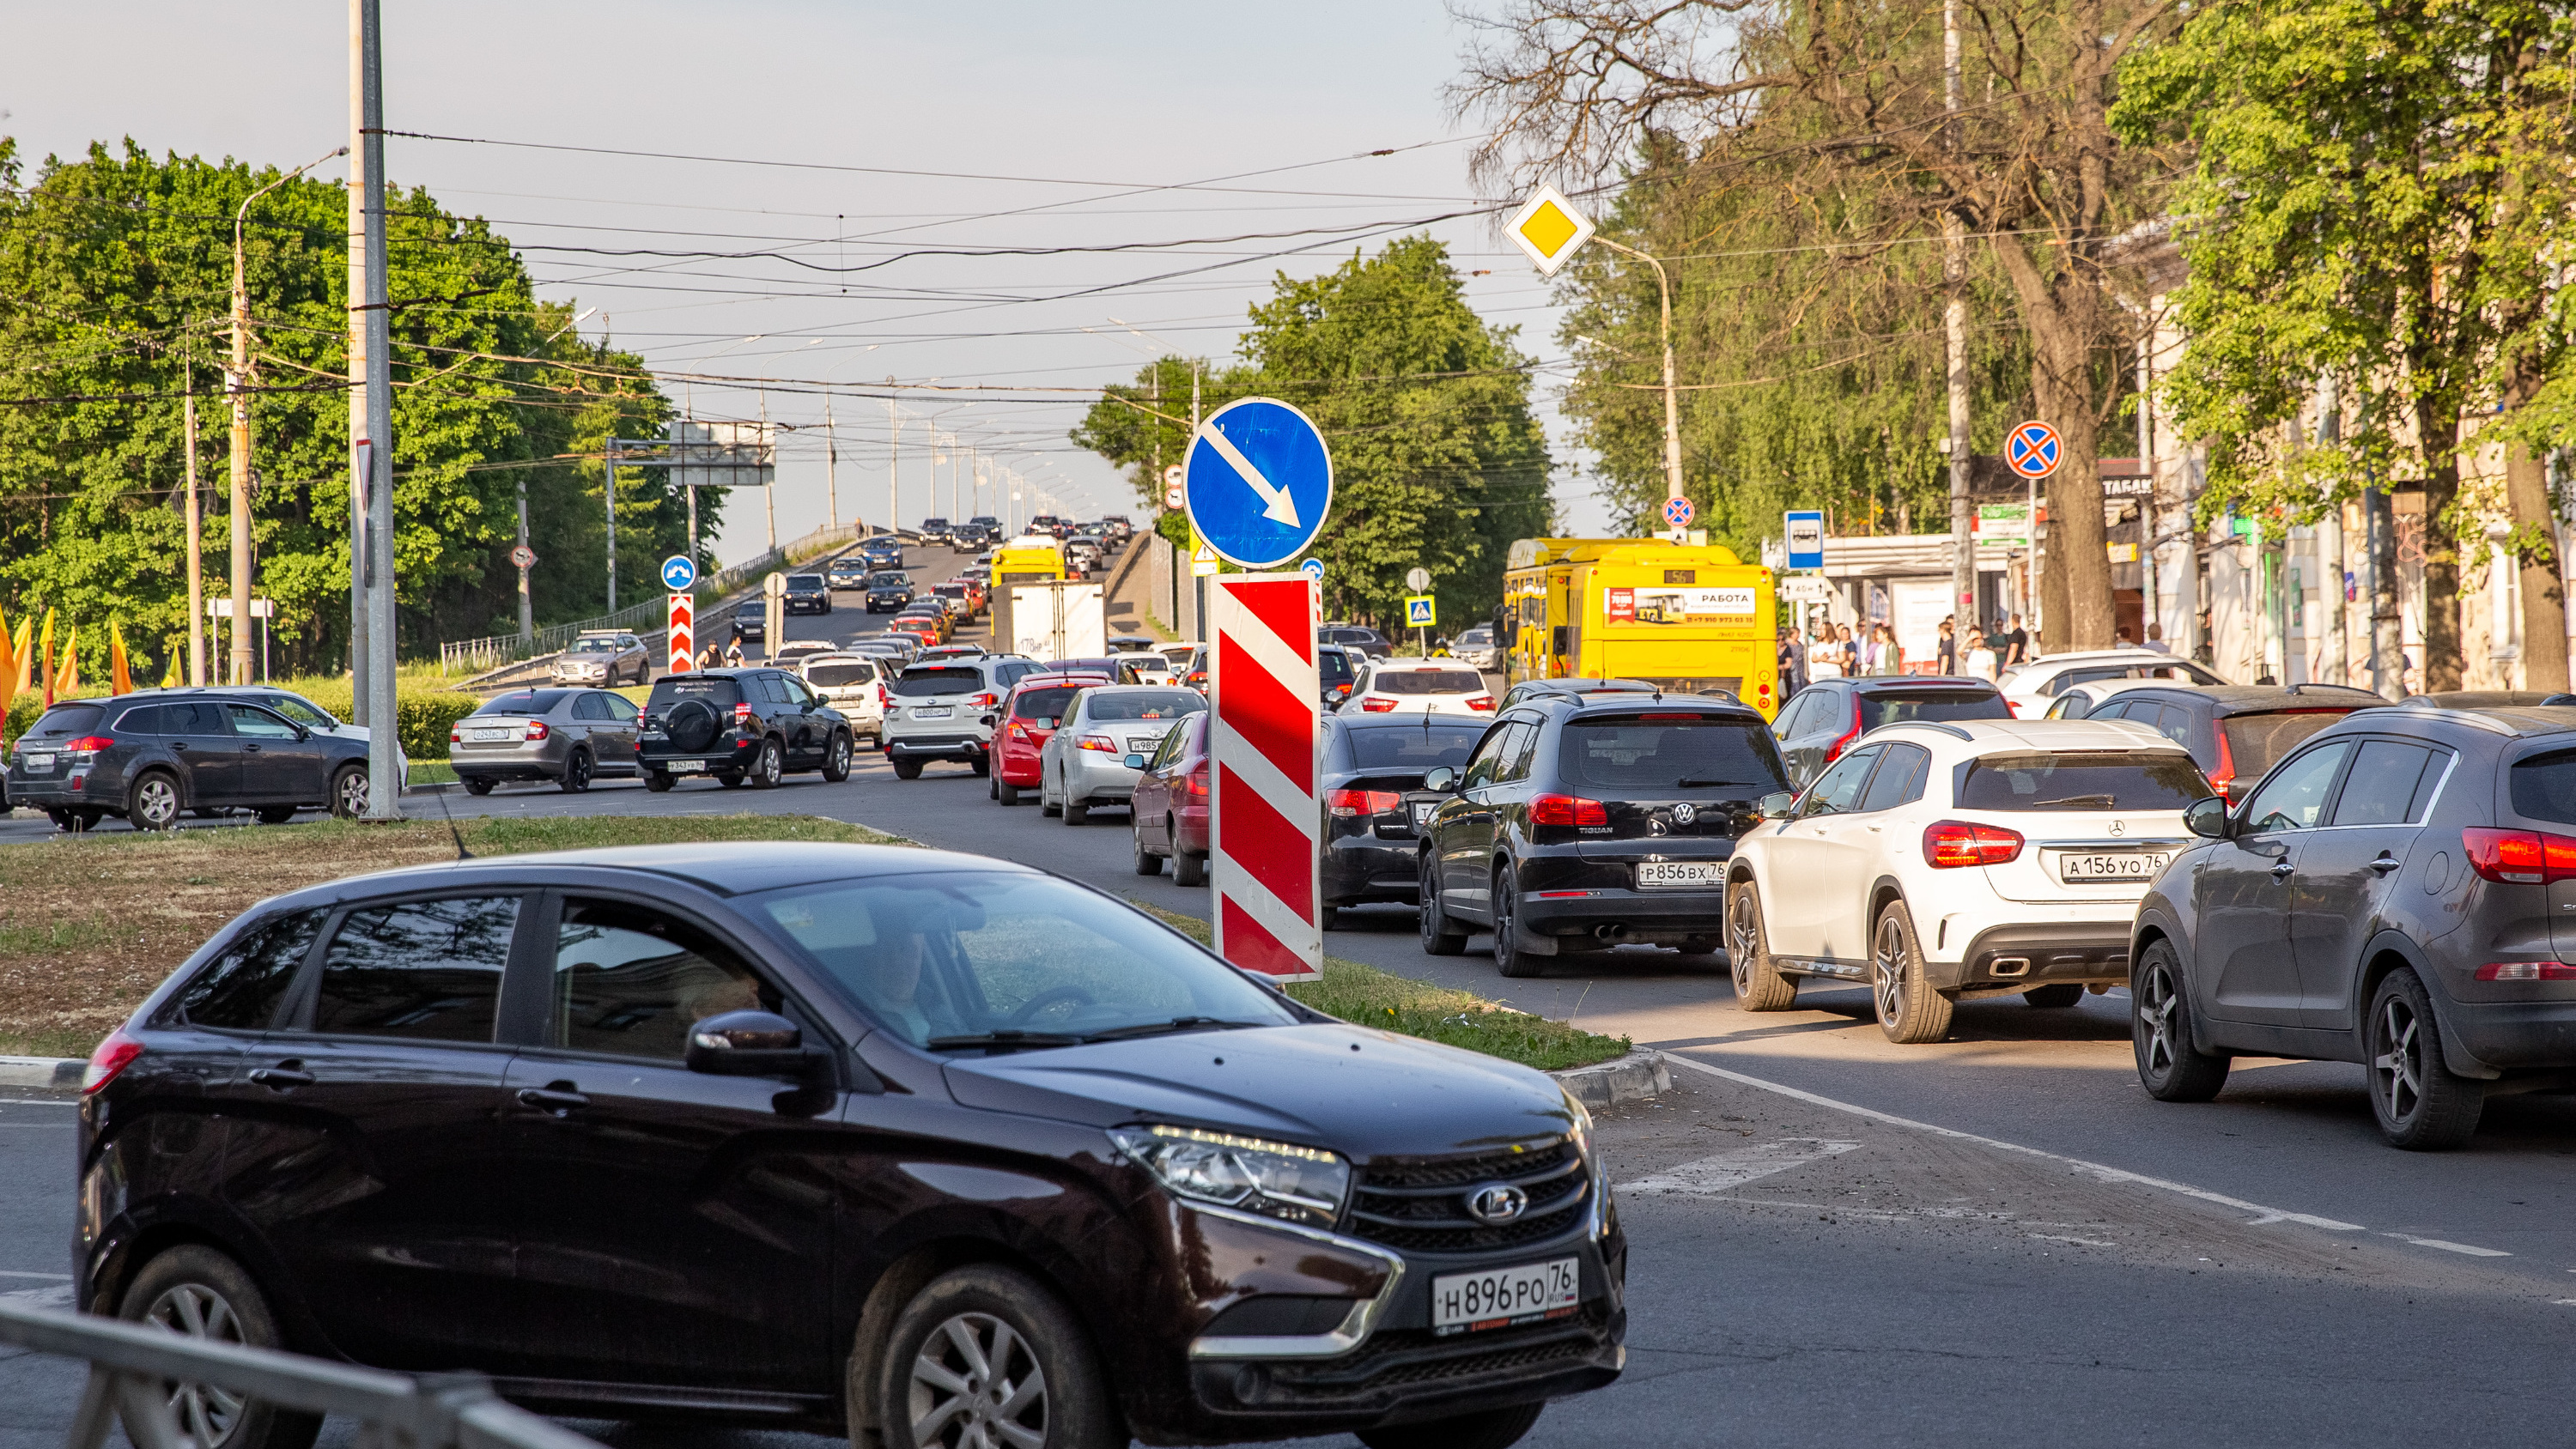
[1588, 822]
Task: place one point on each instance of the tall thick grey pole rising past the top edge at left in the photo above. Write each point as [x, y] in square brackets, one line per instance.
[383, 745]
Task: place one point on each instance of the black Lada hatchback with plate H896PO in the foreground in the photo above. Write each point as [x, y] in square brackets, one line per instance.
[875, 1141]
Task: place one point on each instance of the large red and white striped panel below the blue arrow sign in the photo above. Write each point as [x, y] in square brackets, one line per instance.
[1264, 817]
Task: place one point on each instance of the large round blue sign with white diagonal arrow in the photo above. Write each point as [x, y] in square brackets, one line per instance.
[1258, 483]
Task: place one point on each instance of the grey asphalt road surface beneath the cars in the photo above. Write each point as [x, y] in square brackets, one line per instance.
[1985, 1242]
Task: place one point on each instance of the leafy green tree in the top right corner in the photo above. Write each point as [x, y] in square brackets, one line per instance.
[2384, 199]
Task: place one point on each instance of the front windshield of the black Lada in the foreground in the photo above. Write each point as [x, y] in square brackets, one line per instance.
[1001, 961]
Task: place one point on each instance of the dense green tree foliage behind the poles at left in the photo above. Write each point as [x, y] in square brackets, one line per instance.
[115, 295]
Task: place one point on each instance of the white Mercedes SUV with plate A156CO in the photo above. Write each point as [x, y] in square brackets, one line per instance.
[1944, 861]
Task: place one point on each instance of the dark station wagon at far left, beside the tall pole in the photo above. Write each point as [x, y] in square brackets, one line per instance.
[161, 753]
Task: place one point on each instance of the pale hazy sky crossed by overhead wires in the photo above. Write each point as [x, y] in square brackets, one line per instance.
[1096, 125]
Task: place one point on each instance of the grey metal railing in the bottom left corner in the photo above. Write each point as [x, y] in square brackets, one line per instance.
[133, 1371]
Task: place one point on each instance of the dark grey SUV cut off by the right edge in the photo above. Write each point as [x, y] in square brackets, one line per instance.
[2392, 894]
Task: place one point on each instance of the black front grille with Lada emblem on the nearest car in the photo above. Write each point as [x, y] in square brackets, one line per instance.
[1421, 1203]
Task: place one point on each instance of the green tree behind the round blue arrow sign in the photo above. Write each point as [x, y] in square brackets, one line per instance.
[1426, 411]
